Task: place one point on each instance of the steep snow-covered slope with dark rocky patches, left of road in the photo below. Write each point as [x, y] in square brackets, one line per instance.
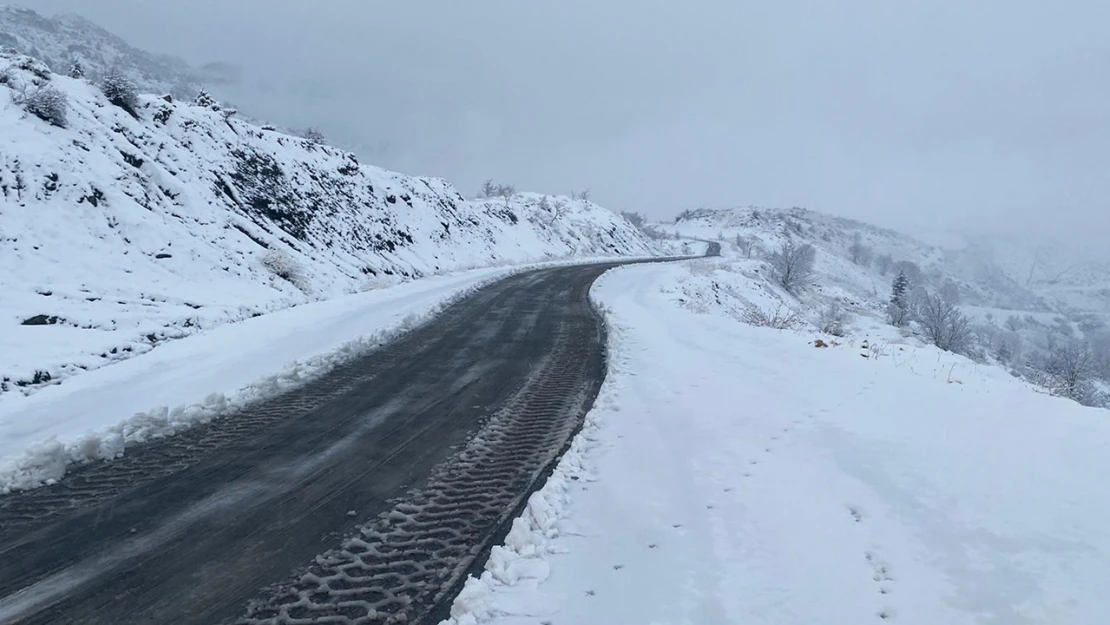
[122, 231]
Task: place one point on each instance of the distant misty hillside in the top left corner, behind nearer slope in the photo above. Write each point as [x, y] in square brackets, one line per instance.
[59, 42]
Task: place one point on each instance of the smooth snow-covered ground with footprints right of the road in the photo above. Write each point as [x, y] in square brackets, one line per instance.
[740, 475]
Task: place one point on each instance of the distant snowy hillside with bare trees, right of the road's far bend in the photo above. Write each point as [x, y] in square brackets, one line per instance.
[1017, 319]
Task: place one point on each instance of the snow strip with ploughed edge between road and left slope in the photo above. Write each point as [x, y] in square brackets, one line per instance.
[210, 375]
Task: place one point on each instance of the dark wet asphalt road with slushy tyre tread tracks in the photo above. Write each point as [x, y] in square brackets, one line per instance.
[365, 497]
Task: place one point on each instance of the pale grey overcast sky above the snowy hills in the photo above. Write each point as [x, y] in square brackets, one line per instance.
[913, 115]
